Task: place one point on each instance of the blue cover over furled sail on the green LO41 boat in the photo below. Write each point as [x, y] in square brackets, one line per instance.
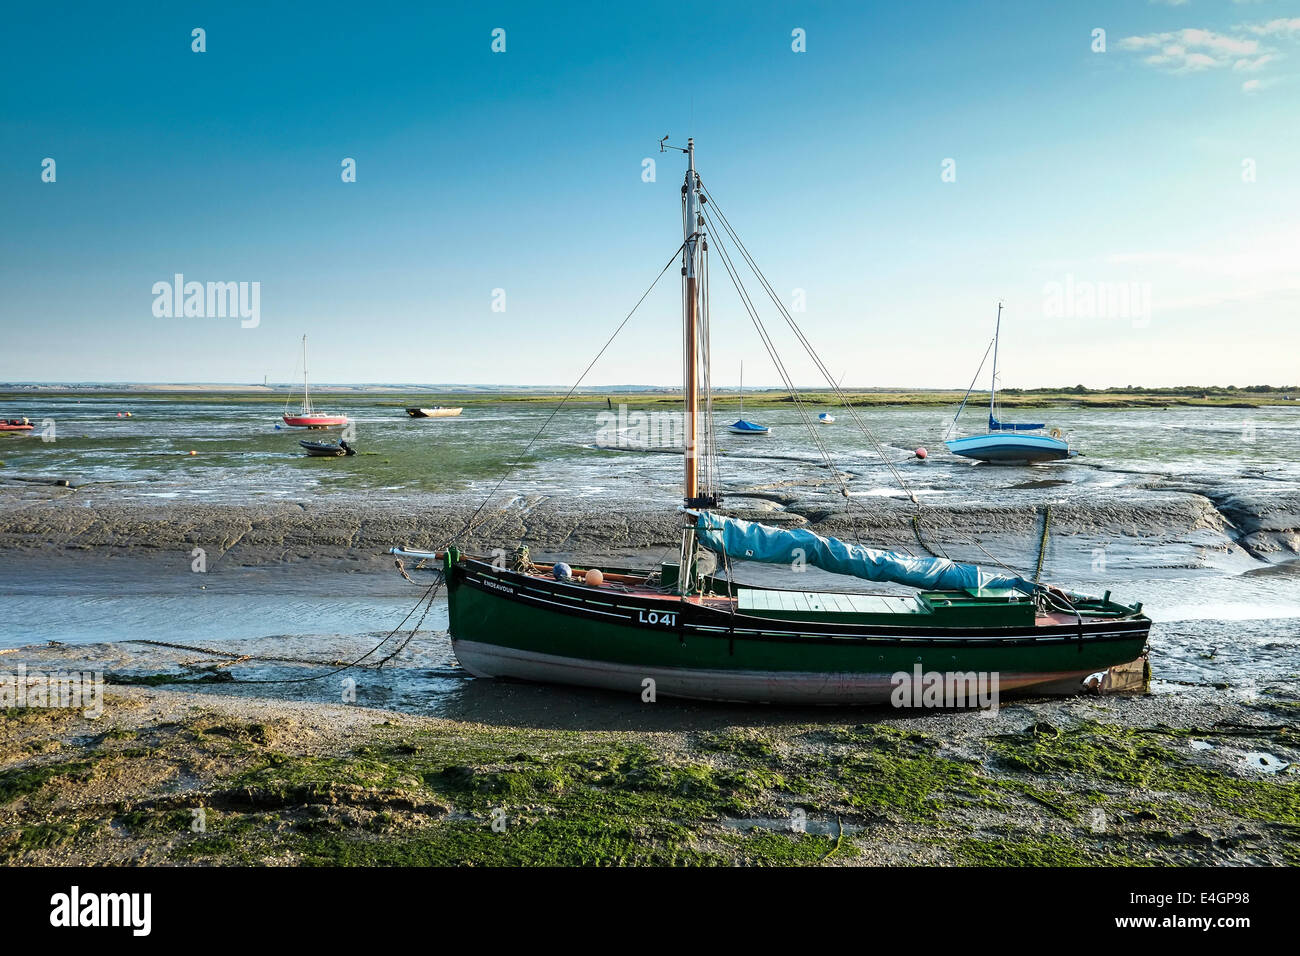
[751, 542]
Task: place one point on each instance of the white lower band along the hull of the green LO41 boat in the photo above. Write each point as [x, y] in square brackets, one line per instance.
[752, 687]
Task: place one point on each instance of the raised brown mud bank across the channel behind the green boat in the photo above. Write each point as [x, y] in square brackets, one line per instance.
[1266, 527]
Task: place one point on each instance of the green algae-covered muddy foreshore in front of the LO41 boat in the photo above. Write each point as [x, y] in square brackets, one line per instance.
[432, 797]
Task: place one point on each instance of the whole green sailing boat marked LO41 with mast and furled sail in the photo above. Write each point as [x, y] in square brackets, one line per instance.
[688, 630]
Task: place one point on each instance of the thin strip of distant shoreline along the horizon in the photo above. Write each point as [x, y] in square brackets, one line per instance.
[401, 396]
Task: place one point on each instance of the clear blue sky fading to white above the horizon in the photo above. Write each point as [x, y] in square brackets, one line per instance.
[1126, 170]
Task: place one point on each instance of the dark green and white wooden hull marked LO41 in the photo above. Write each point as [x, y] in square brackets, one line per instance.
[506, 625]
